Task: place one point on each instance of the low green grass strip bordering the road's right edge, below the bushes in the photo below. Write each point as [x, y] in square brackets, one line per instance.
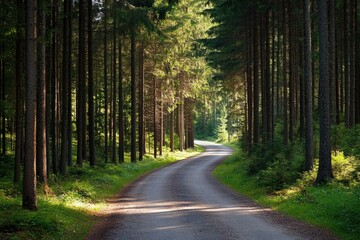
[334, 206]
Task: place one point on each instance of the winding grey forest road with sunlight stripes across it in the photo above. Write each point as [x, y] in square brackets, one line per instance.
[184, 201]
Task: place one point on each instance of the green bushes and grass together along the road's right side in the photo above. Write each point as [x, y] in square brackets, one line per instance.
[272, 175]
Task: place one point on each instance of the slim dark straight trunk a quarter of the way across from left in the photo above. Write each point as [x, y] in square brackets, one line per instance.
[91, 87]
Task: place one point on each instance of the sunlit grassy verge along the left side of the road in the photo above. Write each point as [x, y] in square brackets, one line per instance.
[70, 210]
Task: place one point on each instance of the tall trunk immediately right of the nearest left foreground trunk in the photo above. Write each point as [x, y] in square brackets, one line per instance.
[41, 146]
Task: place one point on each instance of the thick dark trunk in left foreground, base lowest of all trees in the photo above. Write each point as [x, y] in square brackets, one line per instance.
[29, 200]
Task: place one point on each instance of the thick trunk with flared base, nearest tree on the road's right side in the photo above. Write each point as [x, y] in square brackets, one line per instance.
[325, 168]
